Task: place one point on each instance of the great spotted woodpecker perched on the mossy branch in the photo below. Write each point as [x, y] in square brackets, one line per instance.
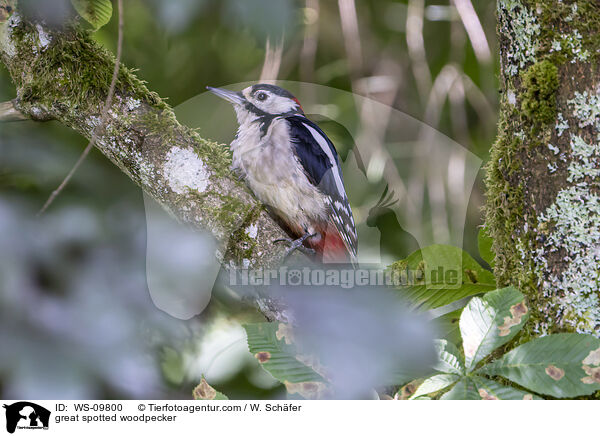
[293, 168]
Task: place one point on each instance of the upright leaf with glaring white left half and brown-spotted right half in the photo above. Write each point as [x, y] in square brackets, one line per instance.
[491, 321]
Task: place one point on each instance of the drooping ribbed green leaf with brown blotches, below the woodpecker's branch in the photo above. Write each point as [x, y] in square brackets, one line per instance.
[271, 343]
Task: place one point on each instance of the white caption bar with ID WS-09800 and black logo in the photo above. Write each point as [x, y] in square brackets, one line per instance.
[297, 417]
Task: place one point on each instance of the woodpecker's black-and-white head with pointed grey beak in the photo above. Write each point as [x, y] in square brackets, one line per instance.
[260, 100]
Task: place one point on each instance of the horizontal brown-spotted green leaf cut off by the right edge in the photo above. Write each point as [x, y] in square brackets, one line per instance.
[562, 365]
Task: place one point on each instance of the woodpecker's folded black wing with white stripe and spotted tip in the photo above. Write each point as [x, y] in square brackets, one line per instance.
[319, 158]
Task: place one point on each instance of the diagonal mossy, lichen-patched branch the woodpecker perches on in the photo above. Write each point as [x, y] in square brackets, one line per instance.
[64, 75]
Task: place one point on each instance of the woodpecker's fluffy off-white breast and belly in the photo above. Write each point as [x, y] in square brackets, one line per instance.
[274, 174]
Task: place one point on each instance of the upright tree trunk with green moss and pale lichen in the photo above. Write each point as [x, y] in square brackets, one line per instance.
[543, 178]
